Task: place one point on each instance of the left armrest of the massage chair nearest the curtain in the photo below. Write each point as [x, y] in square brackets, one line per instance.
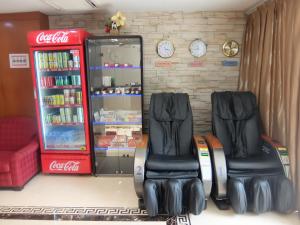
[219, 167]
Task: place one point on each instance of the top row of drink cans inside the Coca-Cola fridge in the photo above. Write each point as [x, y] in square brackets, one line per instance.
[66, 60]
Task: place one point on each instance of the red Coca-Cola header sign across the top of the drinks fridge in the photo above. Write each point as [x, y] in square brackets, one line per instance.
[57, 37]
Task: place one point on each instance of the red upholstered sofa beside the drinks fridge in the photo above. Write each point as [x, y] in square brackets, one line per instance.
[19, 151]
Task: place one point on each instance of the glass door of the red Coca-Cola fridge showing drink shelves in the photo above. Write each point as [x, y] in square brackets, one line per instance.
[60, 99]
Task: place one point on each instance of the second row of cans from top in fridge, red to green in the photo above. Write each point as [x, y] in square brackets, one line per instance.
[50, 81]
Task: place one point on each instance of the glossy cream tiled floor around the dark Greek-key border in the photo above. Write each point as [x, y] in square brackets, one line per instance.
[88, 191]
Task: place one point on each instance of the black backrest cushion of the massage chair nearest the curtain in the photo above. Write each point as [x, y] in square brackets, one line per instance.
[236, 122]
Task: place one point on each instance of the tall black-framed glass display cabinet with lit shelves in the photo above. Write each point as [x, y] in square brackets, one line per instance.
[115, 71]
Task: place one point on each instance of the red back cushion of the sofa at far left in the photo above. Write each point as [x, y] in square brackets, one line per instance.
[16, 132]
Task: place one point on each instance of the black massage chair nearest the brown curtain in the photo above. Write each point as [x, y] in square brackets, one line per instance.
[250, 171]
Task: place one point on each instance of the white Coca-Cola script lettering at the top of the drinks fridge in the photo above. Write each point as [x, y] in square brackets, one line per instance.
[58, 37]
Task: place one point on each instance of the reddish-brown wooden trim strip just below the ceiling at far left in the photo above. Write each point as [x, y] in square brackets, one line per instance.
[23, 16]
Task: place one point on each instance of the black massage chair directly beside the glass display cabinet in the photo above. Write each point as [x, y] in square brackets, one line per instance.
[172, 169]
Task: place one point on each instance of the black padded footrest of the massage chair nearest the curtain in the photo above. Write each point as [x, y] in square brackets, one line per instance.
[261, 194]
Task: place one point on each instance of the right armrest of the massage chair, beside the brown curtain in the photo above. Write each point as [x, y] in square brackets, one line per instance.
[281, 152]
